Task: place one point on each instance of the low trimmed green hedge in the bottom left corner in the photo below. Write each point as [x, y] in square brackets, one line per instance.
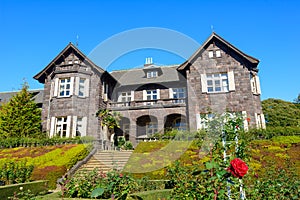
[36, 187]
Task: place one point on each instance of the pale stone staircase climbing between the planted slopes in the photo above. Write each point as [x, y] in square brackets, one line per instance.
[107, 161]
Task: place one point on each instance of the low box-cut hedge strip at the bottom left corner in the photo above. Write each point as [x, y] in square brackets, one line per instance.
[20, 191]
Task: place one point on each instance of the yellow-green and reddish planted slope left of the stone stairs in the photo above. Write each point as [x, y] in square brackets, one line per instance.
[51, 162]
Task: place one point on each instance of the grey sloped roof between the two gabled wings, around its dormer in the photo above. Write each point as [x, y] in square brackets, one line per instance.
[138, 76]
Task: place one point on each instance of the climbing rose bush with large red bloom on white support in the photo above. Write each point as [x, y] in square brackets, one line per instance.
[217, 178]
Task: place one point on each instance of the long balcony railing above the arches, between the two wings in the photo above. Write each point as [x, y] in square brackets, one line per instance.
[147, 104]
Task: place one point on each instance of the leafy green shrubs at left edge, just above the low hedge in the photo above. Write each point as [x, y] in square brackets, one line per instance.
[15, 172]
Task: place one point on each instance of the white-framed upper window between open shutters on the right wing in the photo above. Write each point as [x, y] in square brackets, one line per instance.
[217, 82]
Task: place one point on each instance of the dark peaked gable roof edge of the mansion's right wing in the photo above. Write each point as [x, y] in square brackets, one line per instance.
[219, 38]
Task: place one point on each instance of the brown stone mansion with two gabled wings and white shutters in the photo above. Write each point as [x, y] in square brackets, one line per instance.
[218, 77]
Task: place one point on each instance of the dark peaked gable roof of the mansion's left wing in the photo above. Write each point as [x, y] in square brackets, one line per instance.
[69, 48]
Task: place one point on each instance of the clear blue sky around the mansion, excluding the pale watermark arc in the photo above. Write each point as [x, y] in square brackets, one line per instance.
[33, 32]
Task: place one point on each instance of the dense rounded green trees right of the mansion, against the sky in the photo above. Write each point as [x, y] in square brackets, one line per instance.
[281, 113]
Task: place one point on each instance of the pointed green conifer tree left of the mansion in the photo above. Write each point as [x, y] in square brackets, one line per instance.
[20, 117]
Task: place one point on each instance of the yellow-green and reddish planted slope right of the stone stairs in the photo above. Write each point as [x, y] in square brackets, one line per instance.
[152, 158]
